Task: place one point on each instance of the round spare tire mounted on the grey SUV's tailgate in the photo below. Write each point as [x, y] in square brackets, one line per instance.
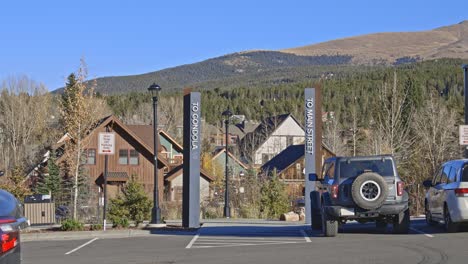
[369, 190]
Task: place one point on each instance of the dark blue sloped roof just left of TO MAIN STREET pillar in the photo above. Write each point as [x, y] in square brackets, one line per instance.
[284, 159]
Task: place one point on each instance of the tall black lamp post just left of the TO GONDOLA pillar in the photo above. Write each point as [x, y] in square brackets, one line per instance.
[154, 89]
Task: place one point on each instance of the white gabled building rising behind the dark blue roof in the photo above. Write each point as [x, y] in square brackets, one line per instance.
[270, 137]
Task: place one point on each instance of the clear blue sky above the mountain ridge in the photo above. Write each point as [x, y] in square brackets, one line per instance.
[46, 39]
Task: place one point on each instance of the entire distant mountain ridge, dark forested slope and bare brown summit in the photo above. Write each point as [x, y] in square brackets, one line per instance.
[267, 67]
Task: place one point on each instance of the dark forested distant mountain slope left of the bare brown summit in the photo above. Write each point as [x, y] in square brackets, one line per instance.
[246, 68]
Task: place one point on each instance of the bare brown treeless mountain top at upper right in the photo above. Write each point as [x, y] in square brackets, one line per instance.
[388, 48]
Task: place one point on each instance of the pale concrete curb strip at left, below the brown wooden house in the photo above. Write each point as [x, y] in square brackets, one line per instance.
[77, 235]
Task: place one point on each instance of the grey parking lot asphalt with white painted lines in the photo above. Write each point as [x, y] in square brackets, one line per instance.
[254, 243]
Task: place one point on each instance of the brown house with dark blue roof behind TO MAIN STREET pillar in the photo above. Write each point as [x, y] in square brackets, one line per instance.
[289, 167]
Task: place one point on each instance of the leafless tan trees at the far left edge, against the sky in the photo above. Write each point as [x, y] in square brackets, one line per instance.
[25, 107]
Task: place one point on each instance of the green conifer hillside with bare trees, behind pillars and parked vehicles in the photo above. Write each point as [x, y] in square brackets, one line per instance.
[411, 111]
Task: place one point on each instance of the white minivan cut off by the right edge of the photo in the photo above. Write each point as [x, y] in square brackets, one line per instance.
[447, 196]
